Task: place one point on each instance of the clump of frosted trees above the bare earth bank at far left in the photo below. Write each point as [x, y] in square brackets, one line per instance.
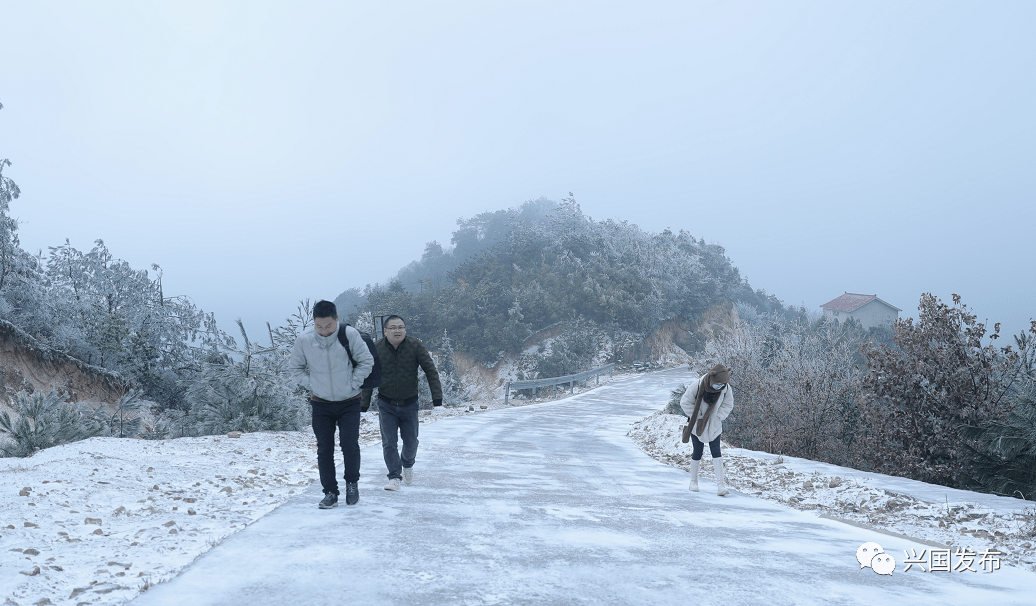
[99, 310]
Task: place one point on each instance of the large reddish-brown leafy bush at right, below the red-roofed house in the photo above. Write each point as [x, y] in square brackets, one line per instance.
[939, 378]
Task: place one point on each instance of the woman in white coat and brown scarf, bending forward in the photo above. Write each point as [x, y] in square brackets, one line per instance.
[707, 403]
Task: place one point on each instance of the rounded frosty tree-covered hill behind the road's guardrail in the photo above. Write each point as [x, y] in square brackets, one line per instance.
[560, 266]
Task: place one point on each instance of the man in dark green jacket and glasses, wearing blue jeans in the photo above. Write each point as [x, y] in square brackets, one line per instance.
[398, 397]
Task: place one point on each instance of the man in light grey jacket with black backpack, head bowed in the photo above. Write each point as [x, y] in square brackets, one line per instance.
[321, 363]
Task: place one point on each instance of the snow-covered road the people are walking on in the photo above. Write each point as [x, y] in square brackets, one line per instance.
[553, 504]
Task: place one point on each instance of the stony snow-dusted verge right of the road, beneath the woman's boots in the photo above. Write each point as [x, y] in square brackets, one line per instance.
[930, 514]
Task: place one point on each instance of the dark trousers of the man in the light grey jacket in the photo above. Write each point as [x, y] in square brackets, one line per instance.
[346, 417]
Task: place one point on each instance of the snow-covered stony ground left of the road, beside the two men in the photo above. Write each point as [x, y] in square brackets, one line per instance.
[100, 521]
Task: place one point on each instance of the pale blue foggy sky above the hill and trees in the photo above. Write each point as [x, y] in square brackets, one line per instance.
[264, 153]
